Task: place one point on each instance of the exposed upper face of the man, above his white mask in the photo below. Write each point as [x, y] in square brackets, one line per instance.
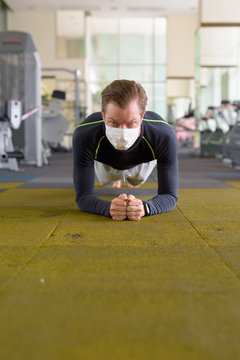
[128, 118]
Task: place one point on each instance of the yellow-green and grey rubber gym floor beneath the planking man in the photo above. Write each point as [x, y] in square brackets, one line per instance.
[75, 286]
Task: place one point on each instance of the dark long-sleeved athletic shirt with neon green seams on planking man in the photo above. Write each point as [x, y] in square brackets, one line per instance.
[157, 141]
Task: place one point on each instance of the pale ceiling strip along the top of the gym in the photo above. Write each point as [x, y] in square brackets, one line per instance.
[114, 7]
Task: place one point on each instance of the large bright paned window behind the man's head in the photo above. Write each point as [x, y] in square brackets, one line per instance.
[127, 48]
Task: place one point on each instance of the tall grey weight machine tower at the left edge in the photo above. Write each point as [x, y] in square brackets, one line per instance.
[20, 84]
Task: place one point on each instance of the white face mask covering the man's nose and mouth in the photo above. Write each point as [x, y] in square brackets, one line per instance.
[122, 139]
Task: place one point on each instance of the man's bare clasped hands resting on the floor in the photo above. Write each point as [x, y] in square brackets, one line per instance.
[126, 207]
